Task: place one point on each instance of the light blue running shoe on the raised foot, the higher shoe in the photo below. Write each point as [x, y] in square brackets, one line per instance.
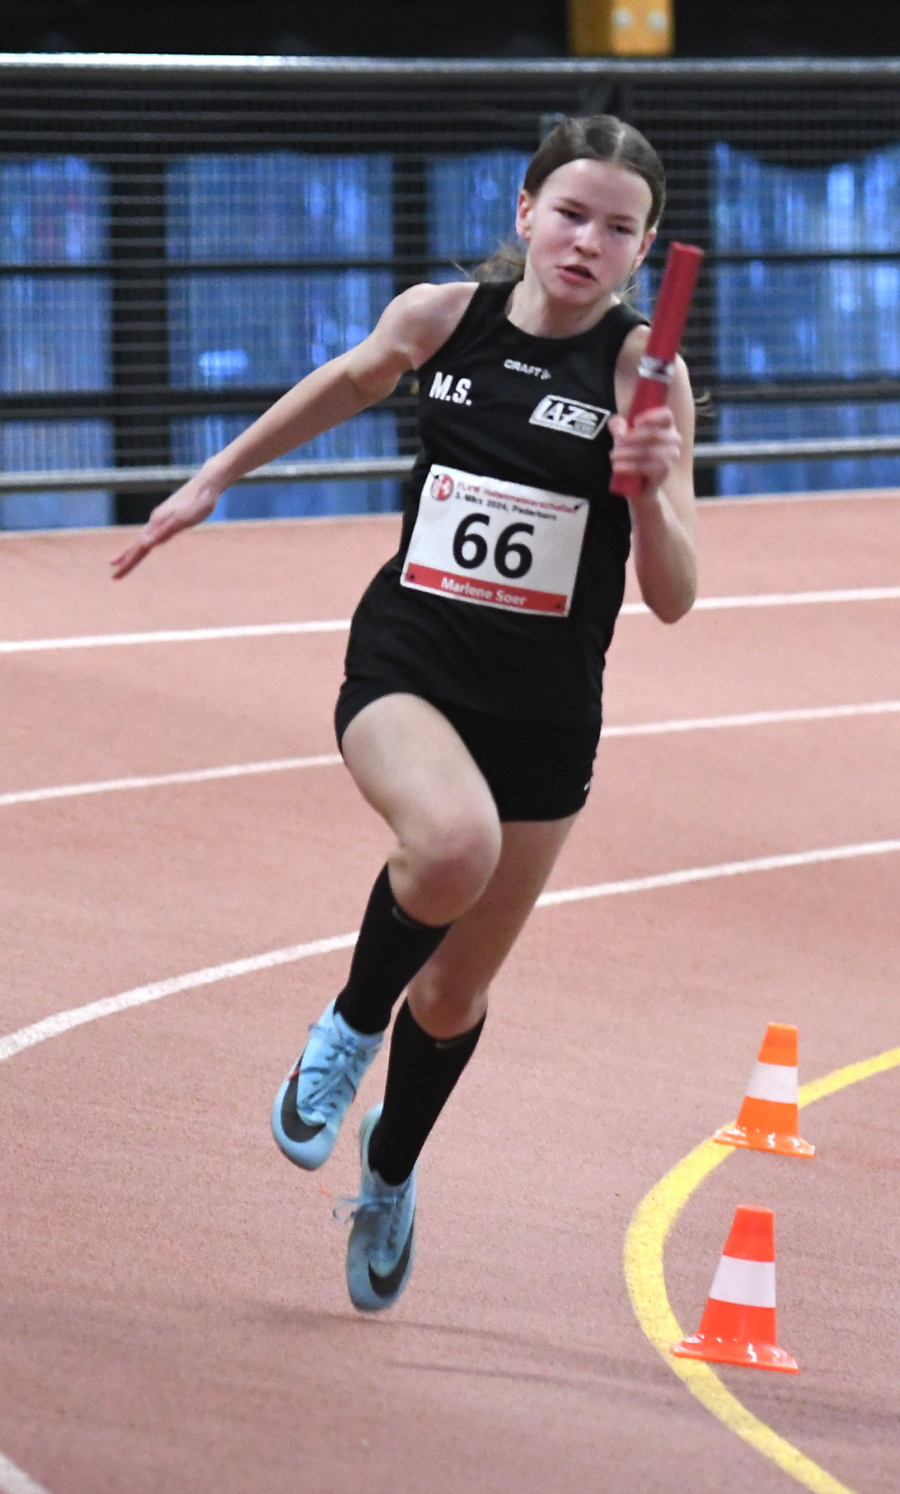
[316, 1096]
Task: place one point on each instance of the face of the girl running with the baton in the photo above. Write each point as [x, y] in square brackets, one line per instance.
[587, 229]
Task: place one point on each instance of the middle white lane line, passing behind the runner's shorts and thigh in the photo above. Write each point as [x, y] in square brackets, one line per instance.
[697, 724]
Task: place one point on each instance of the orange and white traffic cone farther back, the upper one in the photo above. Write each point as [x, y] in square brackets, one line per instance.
[768, 1121]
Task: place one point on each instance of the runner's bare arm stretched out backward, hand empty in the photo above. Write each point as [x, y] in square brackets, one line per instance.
[410, 331]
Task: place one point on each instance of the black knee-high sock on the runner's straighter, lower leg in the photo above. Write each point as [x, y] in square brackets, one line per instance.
[421, 1076]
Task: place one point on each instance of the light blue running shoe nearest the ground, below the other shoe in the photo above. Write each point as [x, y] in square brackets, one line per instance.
[383, 1238]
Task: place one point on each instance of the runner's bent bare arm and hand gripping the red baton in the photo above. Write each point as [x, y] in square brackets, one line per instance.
[665, 516]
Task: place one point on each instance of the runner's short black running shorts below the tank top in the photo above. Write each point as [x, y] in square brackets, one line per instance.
[534, 770]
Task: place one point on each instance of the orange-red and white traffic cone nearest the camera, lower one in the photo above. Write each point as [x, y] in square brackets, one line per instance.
[738, 1326]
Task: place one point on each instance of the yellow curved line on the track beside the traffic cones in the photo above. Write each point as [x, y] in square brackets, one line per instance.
[647, 1286]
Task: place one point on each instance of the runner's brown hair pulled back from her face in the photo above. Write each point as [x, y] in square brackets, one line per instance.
[597, 138]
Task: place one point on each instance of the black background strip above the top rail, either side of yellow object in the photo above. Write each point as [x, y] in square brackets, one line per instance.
[434, 29]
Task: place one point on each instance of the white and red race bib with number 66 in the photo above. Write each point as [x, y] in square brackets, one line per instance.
[499, 545]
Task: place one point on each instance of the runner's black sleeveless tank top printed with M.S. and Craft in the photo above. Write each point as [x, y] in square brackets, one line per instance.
[502, 404]
